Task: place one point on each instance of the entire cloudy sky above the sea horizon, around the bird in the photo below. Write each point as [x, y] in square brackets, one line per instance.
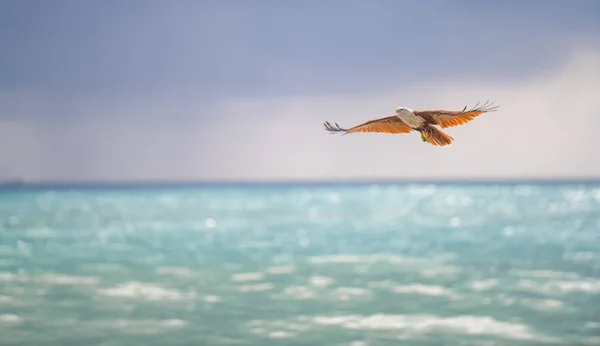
[183, 90]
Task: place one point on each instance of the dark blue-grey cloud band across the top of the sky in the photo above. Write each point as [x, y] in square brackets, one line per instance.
[236, 48]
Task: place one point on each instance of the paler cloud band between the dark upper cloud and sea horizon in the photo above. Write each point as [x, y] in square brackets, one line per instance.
[546, 128]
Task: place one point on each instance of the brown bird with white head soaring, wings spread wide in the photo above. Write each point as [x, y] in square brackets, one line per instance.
[406, 120]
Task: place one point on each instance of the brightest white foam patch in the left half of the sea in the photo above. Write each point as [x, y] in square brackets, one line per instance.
[147, 291]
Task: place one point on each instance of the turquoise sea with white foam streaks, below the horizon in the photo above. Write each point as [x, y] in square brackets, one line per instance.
[315, 264]
